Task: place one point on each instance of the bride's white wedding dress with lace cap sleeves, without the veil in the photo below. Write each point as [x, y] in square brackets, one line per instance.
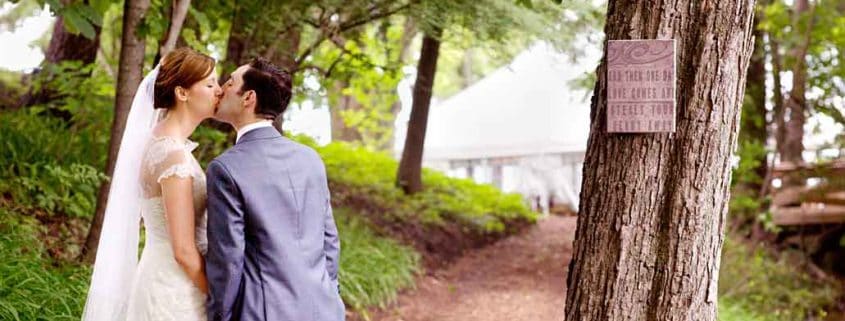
[161, 291]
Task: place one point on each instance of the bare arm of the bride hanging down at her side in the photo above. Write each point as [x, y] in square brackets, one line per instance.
[178, 200]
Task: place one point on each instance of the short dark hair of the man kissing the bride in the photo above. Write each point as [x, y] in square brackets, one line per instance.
[272, 86]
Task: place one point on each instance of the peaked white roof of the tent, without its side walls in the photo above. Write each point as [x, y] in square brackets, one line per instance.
[524, 108]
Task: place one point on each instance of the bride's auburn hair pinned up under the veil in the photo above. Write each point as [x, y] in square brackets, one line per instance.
[181, 67]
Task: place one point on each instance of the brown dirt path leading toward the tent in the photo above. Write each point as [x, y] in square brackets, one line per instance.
[519, 278]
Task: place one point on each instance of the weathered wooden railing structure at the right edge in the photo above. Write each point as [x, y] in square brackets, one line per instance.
[821, 201]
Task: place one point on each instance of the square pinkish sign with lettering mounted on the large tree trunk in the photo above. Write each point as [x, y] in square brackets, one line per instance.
[640, 86]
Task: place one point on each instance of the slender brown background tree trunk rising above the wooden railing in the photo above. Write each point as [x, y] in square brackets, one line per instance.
[796, 104]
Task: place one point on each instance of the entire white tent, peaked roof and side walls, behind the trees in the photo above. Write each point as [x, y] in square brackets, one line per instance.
[522, 128]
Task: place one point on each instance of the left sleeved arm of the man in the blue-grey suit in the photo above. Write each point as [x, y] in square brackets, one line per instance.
[225, 258]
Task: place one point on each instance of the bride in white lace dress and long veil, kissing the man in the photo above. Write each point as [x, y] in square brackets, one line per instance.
[157, 177]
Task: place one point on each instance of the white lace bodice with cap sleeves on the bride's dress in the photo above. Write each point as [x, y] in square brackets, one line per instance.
[167, 157]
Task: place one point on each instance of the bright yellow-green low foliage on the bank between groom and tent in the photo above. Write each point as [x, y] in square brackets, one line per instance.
[372, 175]
